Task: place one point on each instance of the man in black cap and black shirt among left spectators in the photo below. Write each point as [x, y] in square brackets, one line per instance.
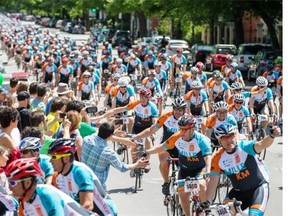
[23, 109]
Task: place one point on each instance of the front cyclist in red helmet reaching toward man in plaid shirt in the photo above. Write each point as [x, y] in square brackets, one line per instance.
[194, 153]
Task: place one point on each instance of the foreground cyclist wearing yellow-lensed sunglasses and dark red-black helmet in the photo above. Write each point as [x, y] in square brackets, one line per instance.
[77, 180]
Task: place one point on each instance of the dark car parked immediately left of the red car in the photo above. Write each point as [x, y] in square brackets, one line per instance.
[199, 52]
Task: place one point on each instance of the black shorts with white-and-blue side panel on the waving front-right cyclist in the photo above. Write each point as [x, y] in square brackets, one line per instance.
[256, 199]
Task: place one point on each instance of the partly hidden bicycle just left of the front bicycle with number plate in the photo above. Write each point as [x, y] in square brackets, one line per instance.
[172, 201]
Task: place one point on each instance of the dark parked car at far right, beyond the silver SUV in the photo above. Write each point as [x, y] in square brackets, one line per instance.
[258, 64]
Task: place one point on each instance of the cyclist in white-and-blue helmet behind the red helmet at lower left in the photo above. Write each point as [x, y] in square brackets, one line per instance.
[30, 147]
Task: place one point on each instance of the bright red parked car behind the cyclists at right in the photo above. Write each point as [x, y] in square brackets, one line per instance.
[217, 57]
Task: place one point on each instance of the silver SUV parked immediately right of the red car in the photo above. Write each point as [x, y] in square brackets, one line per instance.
[248, 50]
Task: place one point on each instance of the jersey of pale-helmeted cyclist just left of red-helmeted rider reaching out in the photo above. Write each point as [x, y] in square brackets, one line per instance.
[122, 99]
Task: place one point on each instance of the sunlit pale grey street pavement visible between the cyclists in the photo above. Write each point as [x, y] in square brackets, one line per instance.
[149, 200]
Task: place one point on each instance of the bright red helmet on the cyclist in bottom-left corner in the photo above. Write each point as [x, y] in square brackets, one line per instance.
[23, 168]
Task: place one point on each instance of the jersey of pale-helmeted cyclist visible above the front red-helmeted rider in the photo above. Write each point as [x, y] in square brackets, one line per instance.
[196, 102]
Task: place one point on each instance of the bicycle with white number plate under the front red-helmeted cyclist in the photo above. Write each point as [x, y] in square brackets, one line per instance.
[191, 185]
